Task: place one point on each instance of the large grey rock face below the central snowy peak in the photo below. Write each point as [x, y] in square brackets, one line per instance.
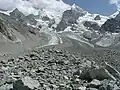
[70, 17]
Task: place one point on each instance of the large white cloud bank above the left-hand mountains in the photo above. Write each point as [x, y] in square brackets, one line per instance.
[28, 6]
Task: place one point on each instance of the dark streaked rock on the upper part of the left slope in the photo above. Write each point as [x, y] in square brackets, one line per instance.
[8, 27]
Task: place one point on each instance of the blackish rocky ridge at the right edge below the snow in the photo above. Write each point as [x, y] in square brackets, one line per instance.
[111, 25]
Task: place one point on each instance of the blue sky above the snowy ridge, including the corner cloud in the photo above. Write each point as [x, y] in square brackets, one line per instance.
[105, 7]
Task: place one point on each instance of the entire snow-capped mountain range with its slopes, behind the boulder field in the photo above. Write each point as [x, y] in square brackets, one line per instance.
[57, 26]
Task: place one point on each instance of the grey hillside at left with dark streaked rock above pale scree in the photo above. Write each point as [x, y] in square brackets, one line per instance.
[16, 36]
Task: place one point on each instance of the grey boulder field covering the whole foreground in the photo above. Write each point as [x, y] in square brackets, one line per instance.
[50, 68]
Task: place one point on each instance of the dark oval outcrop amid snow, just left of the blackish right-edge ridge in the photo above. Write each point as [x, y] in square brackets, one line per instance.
[91, 25]
